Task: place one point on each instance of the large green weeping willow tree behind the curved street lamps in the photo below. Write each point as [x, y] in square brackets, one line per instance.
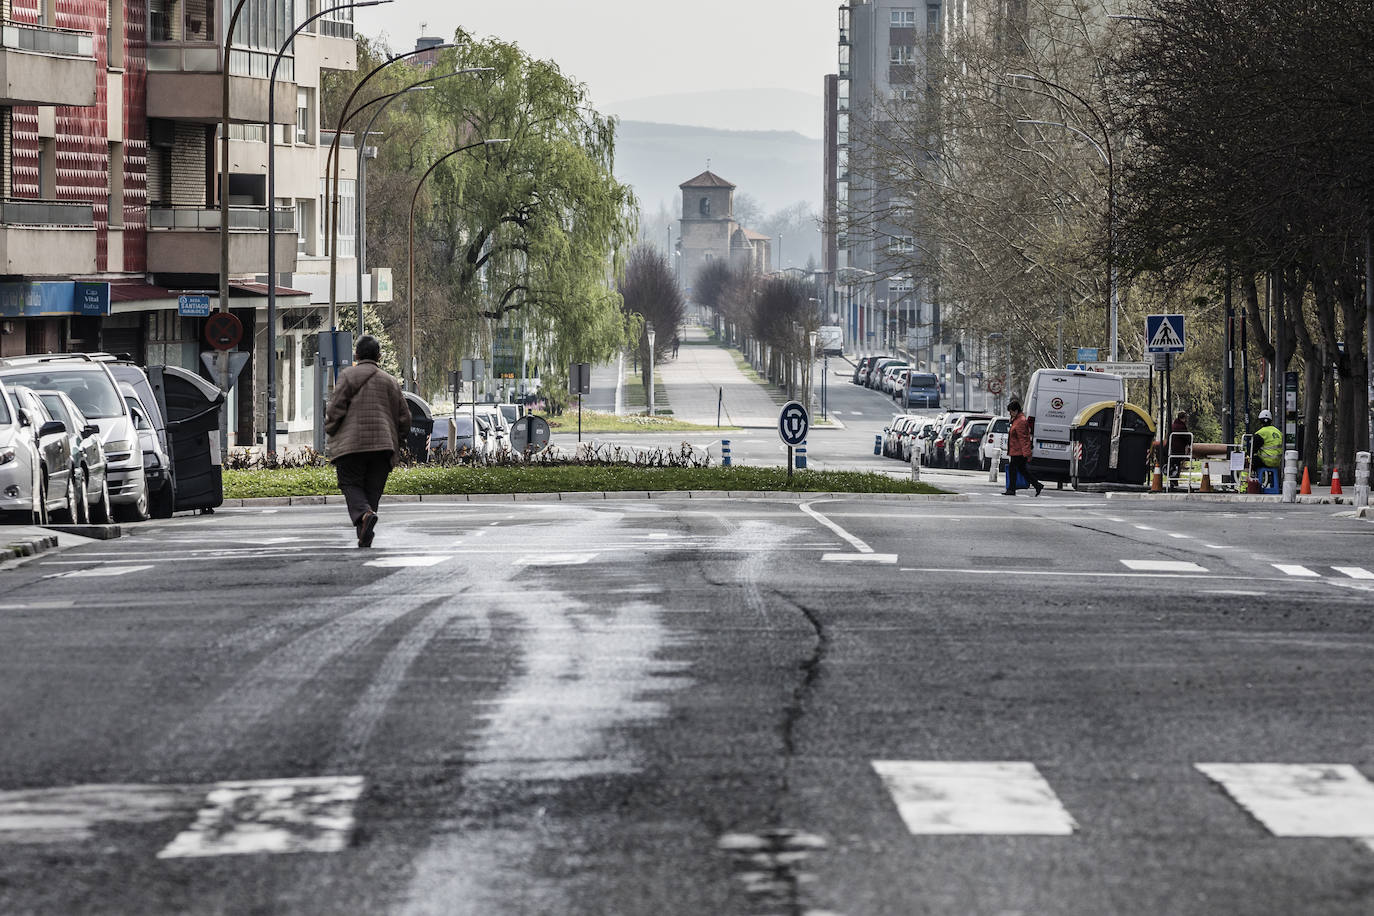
[523, 234]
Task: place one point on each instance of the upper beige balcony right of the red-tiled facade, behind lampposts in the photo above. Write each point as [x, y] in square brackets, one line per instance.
[186, 84]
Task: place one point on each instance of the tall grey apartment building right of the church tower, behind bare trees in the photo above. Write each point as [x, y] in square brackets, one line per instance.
[872, 263]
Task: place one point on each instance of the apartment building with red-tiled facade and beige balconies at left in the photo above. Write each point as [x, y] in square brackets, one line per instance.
[111, 212]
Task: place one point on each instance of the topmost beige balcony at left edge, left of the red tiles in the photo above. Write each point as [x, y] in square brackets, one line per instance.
[41, 65]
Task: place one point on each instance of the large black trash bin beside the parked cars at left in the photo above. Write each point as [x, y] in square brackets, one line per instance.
[192, 411]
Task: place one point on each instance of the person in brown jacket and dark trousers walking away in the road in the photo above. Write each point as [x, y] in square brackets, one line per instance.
[368, 420]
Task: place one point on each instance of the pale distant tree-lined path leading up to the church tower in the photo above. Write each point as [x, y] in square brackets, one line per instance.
[701, 374]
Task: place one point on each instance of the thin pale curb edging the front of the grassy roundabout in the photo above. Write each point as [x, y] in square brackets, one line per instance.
[581, 496]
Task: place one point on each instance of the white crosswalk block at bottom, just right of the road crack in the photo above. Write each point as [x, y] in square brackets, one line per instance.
[947, 797]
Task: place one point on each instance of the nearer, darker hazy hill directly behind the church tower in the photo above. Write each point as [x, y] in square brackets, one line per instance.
[778, 168]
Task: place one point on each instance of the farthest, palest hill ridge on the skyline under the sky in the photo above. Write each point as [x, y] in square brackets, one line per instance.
[730, 111]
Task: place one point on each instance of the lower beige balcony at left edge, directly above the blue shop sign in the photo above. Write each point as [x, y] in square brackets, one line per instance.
[47, 238]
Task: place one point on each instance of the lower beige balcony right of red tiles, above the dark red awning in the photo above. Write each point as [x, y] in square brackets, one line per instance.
[188, 241]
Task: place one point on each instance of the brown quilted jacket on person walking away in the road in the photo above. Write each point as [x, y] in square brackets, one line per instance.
[368, 413]
